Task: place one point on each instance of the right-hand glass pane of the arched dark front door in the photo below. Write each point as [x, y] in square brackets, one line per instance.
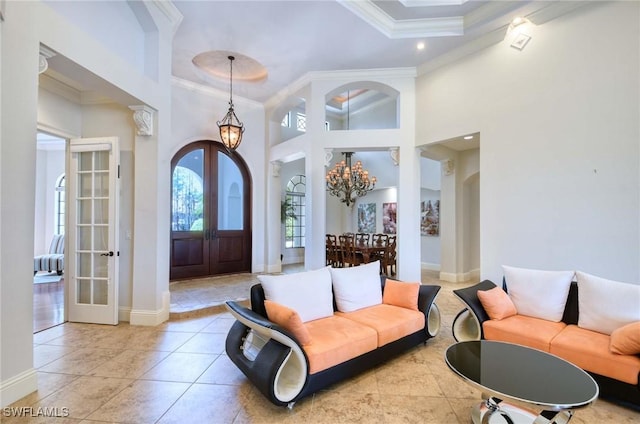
[230, 189]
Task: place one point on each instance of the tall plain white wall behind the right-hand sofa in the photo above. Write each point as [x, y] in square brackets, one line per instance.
[559, 155]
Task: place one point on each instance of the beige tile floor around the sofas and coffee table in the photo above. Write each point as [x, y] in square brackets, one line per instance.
[178, 373]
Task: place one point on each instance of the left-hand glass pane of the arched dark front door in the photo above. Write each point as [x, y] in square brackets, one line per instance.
[188, 192]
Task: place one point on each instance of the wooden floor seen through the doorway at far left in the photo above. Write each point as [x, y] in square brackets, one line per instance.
[48, 305]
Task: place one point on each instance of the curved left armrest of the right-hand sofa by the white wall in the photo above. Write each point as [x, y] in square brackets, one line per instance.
[467, 325]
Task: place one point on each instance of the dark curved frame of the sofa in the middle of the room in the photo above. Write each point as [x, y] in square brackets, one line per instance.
[280, 367]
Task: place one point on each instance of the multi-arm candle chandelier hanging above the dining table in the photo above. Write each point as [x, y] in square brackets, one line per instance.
[347, 182]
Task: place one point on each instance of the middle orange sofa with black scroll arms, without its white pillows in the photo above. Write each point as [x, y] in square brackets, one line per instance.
[291, 359]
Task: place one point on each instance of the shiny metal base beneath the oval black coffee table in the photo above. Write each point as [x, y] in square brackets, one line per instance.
[495, 411]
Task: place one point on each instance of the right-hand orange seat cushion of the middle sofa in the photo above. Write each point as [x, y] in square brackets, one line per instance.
[390, 322]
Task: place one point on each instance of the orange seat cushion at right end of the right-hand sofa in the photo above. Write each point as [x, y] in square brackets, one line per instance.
[590, 351]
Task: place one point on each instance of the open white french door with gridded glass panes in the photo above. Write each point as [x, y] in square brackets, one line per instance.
[92, 264]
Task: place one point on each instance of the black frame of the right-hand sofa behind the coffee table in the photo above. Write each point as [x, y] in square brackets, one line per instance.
[467, 325]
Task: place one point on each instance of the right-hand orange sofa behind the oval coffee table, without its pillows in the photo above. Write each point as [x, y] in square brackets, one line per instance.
[618, 375]
